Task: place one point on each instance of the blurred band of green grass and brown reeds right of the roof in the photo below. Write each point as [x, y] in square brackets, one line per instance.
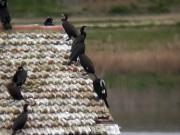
[140, 75]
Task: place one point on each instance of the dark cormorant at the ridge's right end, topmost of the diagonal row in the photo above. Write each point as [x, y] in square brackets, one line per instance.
[68, 27]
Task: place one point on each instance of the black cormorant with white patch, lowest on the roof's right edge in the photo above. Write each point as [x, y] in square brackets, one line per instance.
[100, 89]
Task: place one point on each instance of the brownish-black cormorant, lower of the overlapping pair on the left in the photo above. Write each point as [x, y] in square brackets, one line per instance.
[14, 91]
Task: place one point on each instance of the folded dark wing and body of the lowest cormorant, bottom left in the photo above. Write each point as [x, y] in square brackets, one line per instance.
[20, 121]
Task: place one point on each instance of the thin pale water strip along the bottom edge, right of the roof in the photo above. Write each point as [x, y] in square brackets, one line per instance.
[150, 133]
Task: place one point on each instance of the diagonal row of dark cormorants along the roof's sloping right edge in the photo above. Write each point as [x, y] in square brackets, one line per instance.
[78, 51]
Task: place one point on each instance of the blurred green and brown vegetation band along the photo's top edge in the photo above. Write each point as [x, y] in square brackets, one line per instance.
[43, 8]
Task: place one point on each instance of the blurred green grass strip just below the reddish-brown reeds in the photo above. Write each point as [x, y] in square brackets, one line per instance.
[141, 82]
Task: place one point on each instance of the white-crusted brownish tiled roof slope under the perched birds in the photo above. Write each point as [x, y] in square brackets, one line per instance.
[61, 96]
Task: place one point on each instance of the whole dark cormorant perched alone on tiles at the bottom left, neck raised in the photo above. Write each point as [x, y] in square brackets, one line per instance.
[21, 120]
